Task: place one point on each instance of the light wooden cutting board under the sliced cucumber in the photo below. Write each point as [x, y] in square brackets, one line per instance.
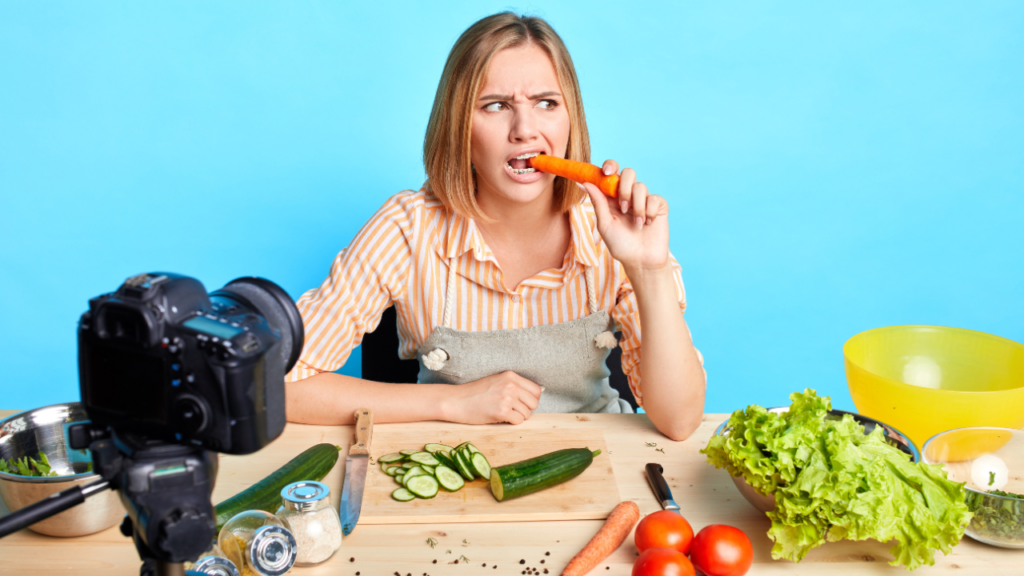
[591, 496]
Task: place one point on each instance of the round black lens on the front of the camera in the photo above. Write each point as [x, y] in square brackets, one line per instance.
[277, 307]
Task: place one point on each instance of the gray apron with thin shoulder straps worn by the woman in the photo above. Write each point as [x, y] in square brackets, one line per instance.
[568, 359]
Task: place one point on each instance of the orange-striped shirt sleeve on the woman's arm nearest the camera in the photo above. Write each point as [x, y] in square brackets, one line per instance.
[366, 278]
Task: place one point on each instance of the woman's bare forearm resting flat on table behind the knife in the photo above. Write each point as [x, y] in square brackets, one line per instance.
[332, 399]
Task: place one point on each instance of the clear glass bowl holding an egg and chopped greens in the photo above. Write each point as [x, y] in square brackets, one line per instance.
[991, 464]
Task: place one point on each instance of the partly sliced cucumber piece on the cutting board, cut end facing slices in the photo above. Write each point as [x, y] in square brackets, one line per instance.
[521, 479]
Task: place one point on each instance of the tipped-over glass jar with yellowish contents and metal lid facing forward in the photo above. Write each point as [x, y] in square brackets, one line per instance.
[259, 544]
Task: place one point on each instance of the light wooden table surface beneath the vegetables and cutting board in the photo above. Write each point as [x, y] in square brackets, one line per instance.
[706, 496]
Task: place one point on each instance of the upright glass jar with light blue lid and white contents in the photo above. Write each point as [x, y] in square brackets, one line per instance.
[307, 510]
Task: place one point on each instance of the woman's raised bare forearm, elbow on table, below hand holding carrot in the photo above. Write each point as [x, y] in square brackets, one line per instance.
[673, 380]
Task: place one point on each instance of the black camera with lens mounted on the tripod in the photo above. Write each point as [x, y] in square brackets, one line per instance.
[162, 359]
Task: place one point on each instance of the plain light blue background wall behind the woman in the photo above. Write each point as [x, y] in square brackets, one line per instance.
[830, 169]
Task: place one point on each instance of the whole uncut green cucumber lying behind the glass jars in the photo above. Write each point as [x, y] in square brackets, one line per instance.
[314, 464]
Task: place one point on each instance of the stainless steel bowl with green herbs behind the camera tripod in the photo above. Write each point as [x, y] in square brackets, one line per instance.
[46, 430]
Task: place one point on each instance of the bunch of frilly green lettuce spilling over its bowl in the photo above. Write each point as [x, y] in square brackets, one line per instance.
[833, 482]
